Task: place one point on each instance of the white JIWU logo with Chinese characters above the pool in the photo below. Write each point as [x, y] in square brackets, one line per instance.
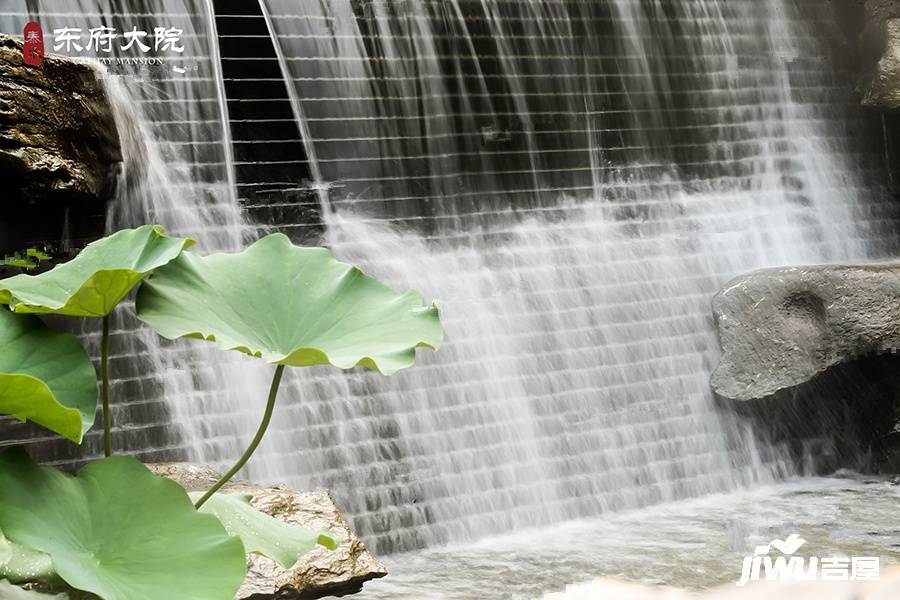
[797, 568]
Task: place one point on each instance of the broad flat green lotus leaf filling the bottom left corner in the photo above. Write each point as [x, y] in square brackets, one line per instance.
[118, 531]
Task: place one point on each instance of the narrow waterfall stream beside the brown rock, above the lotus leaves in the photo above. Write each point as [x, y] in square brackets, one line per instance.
[177, 168]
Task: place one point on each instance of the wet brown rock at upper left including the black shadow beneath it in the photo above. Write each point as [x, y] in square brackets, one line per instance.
[59, 148]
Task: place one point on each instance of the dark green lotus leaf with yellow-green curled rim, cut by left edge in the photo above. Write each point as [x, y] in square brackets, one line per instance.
[46, 376]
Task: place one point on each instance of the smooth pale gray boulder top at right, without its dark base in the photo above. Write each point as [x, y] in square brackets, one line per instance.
[781, 327]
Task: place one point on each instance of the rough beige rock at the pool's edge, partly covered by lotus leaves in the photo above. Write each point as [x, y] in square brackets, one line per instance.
[321, 572]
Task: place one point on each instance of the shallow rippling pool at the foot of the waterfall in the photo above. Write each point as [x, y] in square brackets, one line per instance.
[694, 544]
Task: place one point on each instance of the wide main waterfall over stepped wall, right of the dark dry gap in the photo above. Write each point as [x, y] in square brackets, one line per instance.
[574, 180]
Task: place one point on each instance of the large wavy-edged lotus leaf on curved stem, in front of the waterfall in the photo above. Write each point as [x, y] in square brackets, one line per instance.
[289, 305]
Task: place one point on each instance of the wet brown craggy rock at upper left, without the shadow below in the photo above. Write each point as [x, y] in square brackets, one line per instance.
[58, 138]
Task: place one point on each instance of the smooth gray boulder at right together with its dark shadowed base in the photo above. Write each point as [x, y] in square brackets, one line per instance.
[809, 357]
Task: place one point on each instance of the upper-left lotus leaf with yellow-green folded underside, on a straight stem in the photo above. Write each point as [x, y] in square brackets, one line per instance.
[95, 281]
